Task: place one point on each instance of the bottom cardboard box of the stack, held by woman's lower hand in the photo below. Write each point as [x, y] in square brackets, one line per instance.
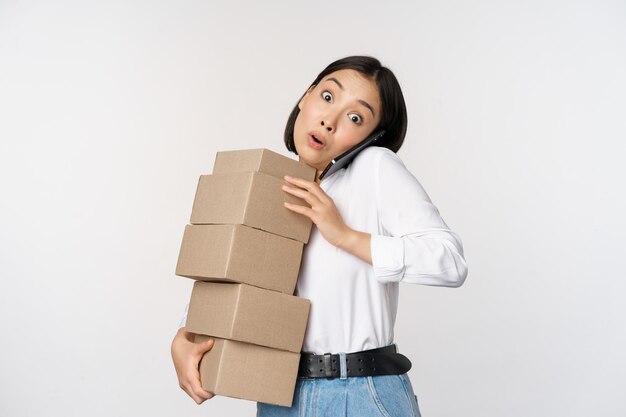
[250, 372]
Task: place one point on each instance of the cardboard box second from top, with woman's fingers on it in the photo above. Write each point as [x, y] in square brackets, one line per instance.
[254, 199]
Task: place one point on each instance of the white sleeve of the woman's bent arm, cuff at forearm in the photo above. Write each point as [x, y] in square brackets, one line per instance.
[414, 244]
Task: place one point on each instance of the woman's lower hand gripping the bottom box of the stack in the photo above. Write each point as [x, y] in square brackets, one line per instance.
[186, 356]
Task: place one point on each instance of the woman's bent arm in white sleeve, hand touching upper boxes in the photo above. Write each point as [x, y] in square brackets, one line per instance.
[415, 244]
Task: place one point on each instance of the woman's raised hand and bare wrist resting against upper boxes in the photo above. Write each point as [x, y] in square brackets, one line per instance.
[326, 217]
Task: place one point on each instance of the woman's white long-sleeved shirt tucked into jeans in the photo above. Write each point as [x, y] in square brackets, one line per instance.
[353, 303]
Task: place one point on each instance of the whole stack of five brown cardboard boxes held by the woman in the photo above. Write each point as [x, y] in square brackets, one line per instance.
[244, 249]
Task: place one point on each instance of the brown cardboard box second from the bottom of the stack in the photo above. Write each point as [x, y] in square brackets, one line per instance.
[248, 314]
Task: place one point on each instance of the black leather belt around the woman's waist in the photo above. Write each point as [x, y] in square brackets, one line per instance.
[381, 361]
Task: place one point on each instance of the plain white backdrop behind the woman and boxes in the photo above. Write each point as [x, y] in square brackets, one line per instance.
[109, 112]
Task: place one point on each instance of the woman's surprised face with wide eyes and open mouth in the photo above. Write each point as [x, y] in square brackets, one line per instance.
[336, 114]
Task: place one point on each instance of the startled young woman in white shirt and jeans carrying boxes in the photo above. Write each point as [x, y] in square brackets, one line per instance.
[375, 226]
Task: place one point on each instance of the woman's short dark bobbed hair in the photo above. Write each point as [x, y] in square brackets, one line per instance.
[393, 112]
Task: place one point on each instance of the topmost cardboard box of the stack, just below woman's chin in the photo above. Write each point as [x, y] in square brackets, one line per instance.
[261, 160]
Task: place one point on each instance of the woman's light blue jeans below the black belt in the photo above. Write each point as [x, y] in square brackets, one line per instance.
[369, 396]
